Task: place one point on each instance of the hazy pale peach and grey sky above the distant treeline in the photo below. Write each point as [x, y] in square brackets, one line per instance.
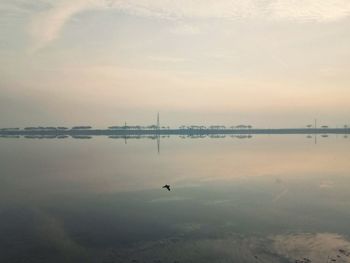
[268, 63]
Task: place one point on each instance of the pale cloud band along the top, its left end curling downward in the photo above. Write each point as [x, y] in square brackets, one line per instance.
[47, 24]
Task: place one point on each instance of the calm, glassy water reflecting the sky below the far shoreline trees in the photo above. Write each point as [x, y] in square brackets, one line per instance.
[264, 199]
